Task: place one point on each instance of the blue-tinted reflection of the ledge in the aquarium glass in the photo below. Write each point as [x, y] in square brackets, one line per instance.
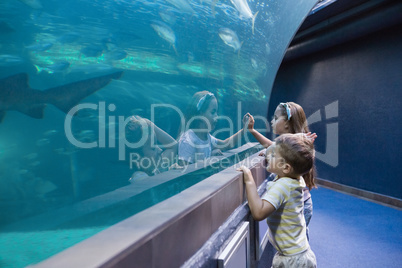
[67, 226]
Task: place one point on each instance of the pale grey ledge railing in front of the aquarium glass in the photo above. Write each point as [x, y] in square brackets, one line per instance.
[170, 232]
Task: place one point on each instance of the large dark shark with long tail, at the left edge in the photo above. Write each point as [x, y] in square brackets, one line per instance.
[16, 94]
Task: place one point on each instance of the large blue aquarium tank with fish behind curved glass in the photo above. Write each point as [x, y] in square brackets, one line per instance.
[74, 74]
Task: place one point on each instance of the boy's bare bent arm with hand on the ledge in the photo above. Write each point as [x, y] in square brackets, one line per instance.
[260, 209]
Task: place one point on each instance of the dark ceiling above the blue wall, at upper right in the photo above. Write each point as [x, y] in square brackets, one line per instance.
[342, 21]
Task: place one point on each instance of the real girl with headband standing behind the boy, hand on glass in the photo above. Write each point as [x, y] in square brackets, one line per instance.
[289, 117]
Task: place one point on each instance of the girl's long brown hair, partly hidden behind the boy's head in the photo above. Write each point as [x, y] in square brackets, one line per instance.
[298, 124]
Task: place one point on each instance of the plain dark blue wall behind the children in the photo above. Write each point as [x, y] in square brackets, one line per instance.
[365, 77]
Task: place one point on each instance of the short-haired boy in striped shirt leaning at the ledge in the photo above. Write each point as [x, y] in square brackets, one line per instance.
[290, 157]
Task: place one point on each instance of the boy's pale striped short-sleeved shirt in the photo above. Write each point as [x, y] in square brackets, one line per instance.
[287, 227]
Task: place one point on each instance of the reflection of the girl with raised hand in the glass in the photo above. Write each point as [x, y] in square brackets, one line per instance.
[196, 143]
